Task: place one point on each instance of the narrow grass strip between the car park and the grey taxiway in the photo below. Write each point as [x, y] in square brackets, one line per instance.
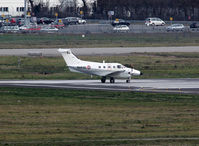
[97, 40]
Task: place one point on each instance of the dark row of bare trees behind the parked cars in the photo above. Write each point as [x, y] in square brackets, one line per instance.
[126, 9]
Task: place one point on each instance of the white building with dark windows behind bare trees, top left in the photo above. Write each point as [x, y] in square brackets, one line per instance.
[16, 7]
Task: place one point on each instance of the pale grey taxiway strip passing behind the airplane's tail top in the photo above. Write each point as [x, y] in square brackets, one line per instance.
[96, 51]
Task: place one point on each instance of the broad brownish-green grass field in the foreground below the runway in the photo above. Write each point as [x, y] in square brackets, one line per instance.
[60, 116]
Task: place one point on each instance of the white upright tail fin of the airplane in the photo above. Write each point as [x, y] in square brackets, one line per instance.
[70, 59]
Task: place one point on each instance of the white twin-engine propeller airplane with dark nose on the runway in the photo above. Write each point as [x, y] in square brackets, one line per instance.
[104, 70]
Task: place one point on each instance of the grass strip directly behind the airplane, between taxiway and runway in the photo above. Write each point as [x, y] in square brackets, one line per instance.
[153, 65]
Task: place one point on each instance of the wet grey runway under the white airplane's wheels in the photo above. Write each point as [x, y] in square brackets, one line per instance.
[181, 86]
